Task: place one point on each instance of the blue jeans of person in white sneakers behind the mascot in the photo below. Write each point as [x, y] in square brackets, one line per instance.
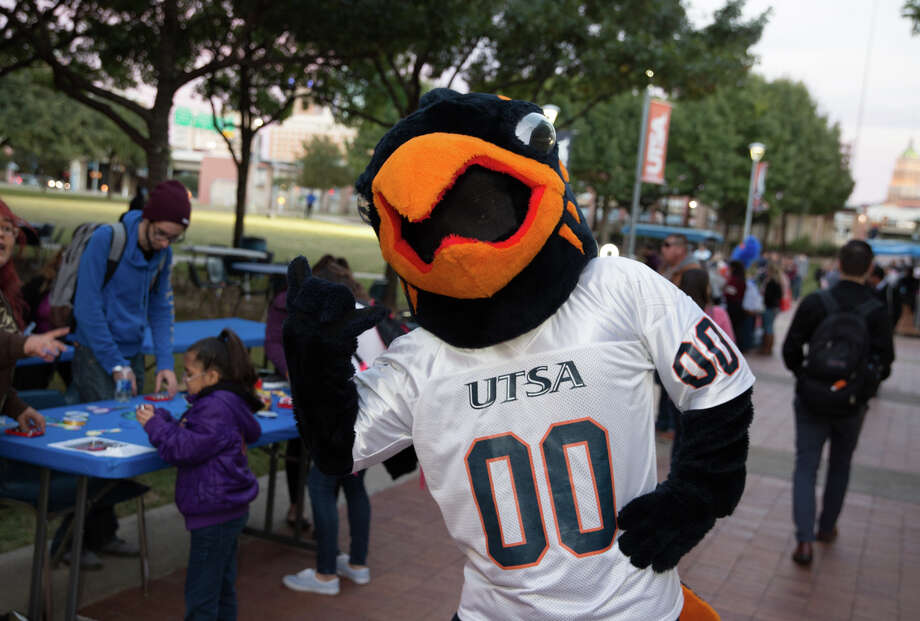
[323, 491]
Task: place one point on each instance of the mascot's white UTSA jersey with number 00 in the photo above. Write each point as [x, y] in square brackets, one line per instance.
[532, 446]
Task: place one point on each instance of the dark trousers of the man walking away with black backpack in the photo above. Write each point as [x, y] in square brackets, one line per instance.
[810, 434]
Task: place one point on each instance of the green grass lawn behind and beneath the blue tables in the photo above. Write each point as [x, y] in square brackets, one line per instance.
[287, 237]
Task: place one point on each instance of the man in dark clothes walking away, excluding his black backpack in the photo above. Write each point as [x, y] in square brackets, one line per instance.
[842, 428]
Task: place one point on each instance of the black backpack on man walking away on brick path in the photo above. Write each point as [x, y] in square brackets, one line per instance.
[838, 373]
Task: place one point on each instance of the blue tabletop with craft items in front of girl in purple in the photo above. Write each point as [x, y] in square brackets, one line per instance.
[37, 450]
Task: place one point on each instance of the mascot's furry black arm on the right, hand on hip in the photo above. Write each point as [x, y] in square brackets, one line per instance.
[706, 481]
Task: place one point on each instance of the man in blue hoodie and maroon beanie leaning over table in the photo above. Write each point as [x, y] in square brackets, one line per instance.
[111, 316]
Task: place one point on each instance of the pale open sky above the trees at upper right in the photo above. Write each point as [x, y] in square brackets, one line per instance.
[824, 44]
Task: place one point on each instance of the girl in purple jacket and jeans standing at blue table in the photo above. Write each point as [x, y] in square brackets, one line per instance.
[214, 484]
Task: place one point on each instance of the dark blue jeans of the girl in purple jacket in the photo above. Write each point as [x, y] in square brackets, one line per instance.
[210, 581]
